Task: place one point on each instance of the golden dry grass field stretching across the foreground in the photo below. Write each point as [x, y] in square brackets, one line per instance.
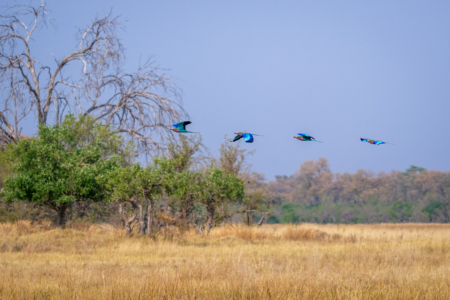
[405, 261]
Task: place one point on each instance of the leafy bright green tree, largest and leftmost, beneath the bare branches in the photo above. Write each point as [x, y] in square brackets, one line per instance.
[54, 171]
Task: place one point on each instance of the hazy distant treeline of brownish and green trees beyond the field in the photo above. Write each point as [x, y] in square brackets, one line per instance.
[315, 194]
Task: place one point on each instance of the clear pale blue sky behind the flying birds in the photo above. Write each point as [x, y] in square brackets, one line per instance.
[337, 70]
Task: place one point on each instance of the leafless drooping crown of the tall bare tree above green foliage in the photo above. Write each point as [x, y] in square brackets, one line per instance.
[138, 104]
